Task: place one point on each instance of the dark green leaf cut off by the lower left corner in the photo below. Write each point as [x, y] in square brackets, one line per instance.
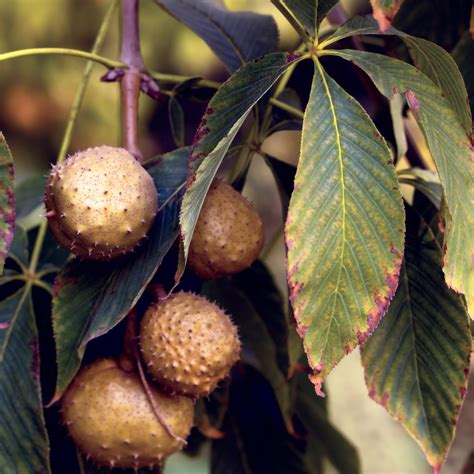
[24, 445]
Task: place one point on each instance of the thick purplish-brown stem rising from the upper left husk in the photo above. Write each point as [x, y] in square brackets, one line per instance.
[131, 55]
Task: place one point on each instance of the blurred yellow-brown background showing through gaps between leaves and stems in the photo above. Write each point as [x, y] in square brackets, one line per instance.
[35, 97]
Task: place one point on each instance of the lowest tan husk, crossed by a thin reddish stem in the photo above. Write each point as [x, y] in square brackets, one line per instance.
[110, 418]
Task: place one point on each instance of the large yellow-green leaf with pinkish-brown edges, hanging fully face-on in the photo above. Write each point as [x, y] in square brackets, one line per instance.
[344, 230]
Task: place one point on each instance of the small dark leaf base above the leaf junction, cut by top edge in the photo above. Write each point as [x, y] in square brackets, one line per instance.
[308, 13]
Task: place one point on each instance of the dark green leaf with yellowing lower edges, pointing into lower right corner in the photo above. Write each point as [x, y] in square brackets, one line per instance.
[417, 360]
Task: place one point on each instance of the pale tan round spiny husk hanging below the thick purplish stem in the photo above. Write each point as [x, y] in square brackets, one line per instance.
[102, 202]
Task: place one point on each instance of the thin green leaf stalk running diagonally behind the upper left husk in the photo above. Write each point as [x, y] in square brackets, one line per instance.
[73, 114]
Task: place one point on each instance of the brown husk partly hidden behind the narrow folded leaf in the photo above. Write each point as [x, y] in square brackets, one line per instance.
[228, 236]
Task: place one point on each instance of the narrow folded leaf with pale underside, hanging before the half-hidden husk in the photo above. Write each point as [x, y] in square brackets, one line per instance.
[224, 116]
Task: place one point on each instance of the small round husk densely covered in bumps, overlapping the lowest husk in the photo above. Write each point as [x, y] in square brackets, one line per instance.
[188, 343]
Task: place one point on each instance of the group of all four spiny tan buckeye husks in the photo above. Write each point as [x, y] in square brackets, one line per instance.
[101, 203]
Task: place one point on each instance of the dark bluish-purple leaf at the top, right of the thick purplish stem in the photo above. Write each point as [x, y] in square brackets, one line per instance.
[236, 37]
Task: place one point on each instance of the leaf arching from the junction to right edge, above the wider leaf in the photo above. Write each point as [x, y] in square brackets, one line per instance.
[429, 58]
